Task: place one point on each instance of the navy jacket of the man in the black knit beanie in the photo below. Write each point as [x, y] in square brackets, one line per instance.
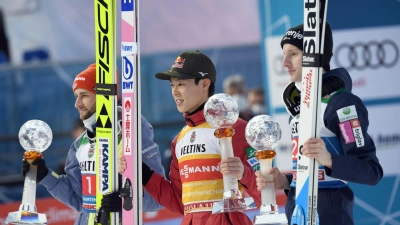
[344, 131]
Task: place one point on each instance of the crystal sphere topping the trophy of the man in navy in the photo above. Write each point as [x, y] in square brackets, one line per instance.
[263, 132]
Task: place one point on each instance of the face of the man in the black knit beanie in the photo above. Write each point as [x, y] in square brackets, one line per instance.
[292, 60]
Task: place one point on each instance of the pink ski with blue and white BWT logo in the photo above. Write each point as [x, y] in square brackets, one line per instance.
[132, 189]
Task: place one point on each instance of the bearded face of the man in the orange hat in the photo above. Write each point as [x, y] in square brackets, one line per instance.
[85, 103]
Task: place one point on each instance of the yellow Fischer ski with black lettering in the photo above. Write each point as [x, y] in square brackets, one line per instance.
[106, 103]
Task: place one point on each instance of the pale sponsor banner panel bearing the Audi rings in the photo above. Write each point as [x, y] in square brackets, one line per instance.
[372, 57]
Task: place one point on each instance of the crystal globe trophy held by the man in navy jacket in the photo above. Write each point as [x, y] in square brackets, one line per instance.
[263, 133]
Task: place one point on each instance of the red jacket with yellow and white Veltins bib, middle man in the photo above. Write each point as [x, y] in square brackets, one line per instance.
[195, 180]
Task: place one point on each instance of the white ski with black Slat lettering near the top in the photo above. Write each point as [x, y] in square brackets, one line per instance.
[305, 212]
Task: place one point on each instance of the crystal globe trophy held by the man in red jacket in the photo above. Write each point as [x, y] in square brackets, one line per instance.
[221, 112]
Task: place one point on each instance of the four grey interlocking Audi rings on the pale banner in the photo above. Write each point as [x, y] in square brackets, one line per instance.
[371, 55]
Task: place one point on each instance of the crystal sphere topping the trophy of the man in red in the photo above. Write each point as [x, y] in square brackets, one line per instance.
[221, 111]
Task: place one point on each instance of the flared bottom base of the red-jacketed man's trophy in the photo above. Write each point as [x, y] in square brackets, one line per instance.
[233, 205]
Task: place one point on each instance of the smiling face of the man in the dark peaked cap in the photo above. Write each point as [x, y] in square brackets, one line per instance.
[187, 95]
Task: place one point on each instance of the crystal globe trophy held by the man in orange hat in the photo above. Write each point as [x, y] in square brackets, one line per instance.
[35, 136]
